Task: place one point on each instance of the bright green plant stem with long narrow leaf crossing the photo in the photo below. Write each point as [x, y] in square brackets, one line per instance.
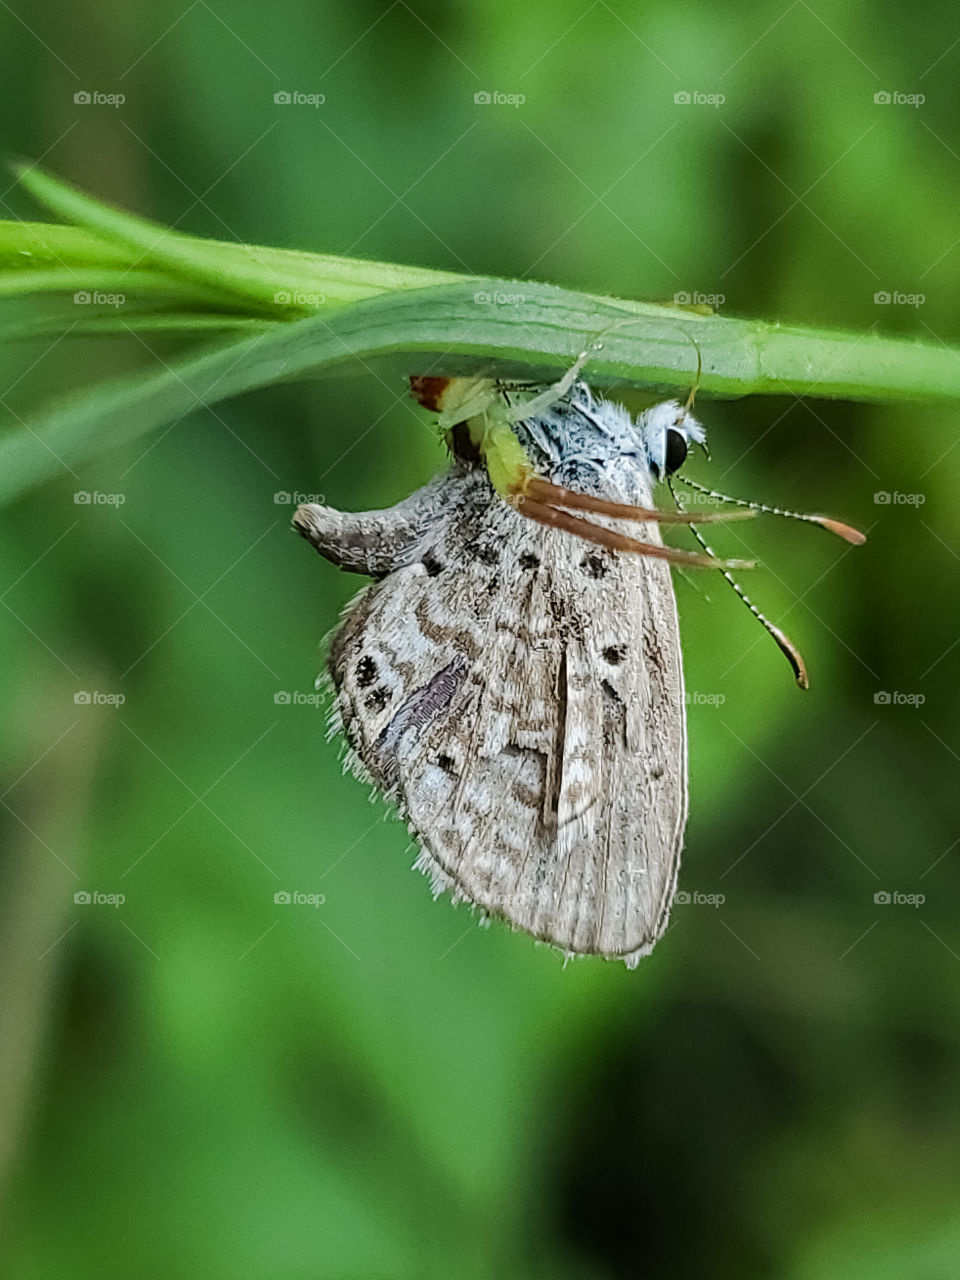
[314, 316]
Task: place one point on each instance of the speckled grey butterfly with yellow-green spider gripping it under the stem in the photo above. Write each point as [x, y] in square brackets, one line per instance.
[513, 679]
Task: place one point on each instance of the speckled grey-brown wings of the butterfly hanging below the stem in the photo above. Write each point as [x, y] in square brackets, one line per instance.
[519, 694]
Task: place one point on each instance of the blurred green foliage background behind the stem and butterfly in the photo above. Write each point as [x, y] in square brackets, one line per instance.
[203, 1084]
